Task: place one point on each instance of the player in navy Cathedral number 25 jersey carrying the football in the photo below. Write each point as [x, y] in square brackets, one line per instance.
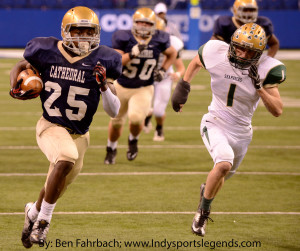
[75, 72]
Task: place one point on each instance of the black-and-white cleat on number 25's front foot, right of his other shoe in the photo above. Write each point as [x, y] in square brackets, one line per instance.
[39, 232]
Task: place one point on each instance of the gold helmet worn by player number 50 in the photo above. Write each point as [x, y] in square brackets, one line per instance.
[143, 15]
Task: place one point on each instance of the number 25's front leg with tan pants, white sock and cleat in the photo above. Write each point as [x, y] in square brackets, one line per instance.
[60, 149]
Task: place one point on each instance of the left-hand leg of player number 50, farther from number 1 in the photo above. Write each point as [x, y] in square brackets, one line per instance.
[115, 127]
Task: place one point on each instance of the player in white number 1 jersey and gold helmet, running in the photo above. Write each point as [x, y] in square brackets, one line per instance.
[240, 77]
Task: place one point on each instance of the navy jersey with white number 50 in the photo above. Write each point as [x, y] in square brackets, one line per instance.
[139, 71]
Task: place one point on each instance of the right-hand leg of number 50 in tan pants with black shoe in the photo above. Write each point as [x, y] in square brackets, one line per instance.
[139, 105]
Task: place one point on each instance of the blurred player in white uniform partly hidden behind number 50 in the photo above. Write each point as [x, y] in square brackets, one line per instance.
[162, 89]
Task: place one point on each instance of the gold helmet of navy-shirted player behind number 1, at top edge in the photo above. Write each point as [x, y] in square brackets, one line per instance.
[245, 11]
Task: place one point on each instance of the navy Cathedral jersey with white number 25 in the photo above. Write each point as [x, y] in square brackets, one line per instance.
[71, 94]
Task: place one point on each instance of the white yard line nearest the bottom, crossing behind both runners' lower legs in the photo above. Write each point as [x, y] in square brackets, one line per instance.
[159, 213]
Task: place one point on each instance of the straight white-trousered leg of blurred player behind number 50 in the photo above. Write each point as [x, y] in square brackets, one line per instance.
[162, 93]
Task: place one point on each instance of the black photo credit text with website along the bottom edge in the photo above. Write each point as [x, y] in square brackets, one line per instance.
[167, 244]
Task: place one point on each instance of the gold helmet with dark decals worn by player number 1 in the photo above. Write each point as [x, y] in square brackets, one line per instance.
[252, 37]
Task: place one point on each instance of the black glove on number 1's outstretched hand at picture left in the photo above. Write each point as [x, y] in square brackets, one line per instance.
[180, 94]
